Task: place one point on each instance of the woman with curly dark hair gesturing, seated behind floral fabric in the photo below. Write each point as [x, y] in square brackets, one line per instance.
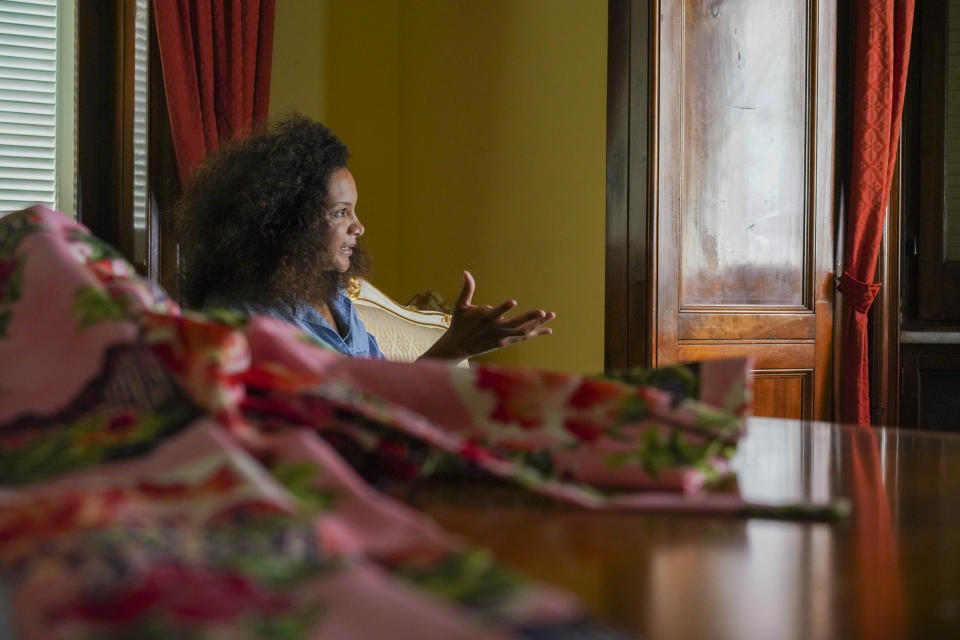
[274, 230]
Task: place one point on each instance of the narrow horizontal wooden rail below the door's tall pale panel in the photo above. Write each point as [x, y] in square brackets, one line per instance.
[746, 326]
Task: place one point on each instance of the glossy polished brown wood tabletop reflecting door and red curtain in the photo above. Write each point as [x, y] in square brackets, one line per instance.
[890, 570]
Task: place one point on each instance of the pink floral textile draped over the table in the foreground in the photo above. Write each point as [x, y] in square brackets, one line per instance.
[169, 474]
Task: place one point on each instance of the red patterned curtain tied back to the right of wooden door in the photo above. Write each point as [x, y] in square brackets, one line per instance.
[882, 50]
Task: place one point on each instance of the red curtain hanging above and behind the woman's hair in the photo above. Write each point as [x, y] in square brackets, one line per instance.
[216, 57]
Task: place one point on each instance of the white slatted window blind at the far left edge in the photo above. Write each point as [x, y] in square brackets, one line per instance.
[29, 66]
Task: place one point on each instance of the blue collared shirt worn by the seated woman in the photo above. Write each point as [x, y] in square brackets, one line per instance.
[356, 342]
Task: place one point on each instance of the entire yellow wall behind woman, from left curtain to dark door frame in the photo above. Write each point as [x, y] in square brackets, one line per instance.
[477, 132]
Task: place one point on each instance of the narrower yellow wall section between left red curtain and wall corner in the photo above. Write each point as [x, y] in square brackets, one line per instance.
[338, 62]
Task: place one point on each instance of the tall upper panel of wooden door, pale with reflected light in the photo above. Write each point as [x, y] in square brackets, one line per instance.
[745, 141]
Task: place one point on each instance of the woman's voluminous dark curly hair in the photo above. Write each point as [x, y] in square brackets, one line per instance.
[252, 218]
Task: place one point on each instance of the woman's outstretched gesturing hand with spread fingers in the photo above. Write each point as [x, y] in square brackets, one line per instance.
[476, 329]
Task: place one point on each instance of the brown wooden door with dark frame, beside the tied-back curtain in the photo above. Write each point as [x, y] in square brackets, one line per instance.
[738, 213]
